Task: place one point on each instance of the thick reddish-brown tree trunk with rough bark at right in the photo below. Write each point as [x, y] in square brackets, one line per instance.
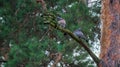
[110, 34]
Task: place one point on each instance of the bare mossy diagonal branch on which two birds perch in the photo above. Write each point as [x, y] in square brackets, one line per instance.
[95, 58]
